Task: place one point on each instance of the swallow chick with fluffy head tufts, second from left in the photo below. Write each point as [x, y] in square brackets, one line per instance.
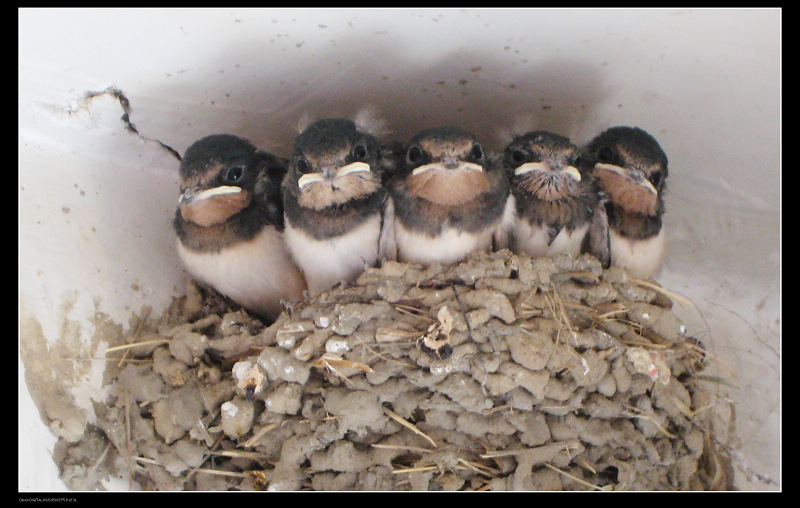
[334, 201]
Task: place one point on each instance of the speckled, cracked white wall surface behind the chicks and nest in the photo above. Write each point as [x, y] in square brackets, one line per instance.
[96, 200]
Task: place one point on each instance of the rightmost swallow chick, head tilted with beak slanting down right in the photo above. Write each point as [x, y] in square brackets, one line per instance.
[631, 168]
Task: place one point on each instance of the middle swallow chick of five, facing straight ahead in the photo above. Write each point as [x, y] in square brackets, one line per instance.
[450, 198]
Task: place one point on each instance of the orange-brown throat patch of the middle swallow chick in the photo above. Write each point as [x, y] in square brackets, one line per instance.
[448, 187]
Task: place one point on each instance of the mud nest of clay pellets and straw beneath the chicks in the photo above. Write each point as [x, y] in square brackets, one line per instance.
[500, 373]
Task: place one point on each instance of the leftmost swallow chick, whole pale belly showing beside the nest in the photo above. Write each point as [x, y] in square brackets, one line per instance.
[229, 224]
